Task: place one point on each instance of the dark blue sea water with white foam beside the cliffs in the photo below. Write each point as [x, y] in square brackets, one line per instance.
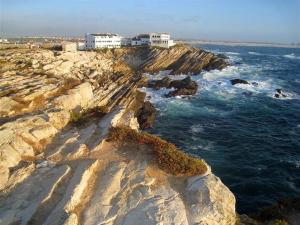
[250, 139]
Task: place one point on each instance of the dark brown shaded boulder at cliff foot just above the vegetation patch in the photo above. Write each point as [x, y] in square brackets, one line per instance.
[146, 115]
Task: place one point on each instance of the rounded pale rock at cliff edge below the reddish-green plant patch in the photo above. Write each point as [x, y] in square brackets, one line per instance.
[209, 201]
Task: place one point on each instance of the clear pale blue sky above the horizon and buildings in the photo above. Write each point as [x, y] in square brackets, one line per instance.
[219, 20]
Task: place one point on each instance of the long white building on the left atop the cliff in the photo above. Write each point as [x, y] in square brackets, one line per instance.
[94, 41]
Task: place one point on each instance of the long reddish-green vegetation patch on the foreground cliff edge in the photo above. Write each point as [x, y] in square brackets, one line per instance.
[168, 157]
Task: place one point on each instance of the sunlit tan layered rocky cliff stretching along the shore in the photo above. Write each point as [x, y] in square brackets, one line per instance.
[57, 165]
